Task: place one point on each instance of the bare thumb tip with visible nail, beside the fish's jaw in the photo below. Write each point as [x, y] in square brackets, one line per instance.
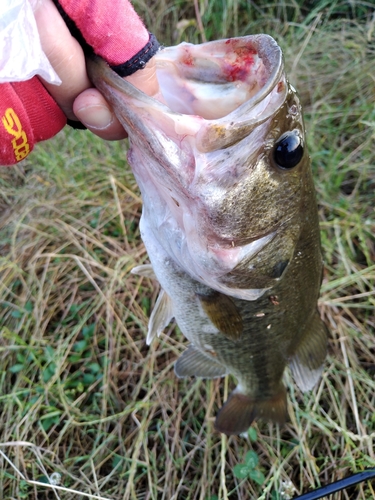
[94, 112]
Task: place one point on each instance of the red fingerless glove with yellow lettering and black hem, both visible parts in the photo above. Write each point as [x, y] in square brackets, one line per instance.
[110, 29]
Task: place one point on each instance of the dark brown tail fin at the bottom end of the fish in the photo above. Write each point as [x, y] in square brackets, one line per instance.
[240, 411]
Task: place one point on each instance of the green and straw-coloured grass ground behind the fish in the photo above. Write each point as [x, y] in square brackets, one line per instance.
[83, 398]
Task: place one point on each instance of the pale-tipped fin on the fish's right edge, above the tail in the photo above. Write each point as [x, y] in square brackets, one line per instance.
[307, 362]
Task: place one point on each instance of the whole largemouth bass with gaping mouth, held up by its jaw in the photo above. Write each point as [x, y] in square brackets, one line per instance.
[229, 218]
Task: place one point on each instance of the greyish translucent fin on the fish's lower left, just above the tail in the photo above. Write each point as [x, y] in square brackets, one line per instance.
[193, 363]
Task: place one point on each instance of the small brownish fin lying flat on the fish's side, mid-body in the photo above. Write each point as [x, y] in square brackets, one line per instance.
[223, 313]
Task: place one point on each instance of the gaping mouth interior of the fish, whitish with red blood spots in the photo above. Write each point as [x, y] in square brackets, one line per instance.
[213, 79]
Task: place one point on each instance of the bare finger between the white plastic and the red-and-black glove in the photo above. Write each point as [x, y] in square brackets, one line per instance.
[65, 55]
